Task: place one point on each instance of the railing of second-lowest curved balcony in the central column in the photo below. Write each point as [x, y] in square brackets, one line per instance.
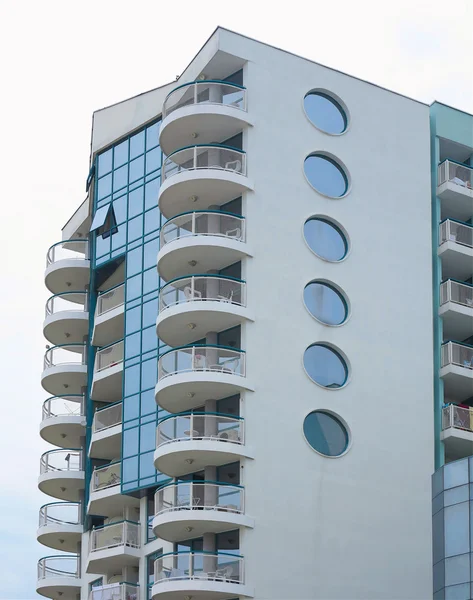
[202, 495]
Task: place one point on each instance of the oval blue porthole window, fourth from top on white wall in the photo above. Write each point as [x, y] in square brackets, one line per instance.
[325, 303]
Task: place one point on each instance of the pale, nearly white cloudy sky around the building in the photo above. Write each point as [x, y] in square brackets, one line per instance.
[61, 60]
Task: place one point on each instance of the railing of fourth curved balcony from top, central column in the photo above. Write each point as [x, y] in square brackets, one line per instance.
[201, 288]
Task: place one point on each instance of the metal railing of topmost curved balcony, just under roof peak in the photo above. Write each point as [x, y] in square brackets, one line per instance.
[205, 92]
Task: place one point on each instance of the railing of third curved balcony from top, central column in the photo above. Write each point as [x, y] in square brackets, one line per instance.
[215, 223]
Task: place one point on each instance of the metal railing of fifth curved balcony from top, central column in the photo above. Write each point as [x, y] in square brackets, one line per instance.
[201, 358]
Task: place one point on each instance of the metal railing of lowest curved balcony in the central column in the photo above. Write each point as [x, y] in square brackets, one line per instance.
[213, 566]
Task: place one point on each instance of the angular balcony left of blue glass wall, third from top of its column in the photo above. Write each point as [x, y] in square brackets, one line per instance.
[106, 440]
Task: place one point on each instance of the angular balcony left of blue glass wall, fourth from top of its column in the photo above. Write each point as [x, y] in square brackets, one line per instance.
[105, 497]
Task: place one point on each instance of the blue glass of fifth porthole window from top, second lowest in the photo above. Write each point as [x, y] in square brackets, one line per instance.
[325, 366]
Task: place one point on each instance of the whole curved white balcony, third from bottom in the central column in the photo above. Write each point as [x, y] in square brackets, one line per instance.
[190, 442]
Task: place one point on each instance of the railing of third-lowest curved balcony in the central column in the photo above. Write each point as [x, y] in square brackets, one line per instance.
[200, 426]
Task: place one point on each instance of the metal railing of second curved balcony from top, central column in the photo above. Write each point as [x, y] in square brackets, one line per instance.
[204, 157]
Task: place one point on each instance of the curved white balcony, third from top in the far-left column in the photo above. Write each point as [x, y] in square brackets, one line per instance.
[65, 369]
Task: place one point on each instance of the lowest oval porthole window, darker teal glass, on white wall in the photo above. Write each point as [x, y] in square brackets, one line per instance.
[325, 433]
